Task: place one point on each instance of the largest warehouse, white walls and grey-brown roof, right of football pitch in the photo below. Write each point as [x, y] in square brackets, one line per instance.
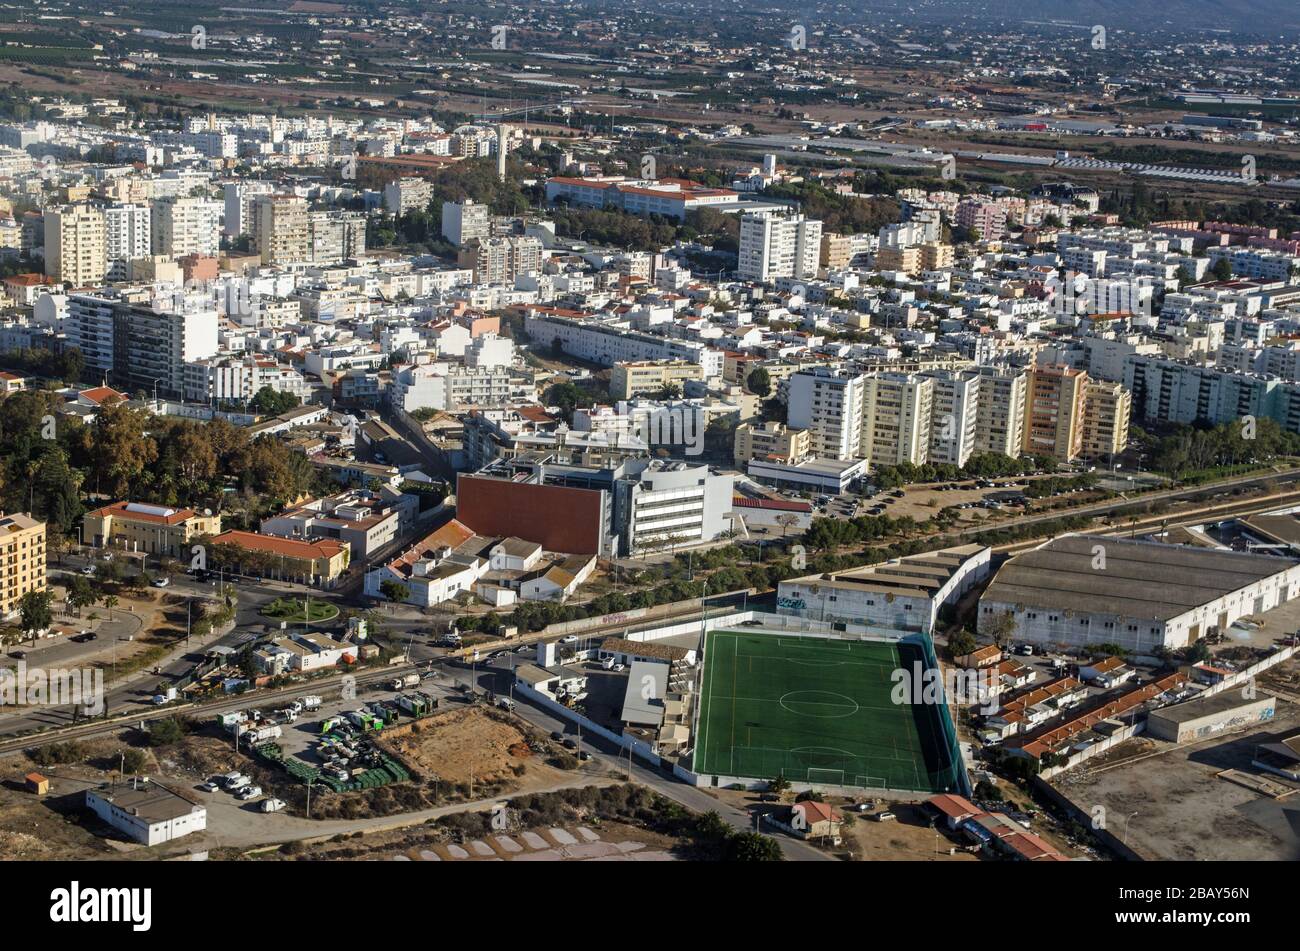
[1080, 590]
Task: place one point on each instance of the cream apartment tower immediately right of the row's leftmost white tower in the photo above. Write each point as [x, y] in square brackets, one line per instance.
[898, 419]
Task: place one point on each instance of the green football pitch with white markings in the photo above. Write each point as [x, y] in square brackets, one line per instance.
[817, 711]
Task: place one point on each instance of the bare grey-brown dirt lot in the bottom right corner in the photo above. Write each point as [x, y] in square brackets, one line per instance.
[1175, 805]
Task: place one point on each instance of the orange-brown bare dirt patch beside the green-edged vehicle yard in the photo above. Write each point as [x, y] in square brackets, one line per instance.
[473, 744]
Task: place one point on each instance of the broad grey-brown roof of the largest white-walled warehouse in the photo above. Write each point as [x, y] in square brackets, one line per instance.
[1142, 580]
